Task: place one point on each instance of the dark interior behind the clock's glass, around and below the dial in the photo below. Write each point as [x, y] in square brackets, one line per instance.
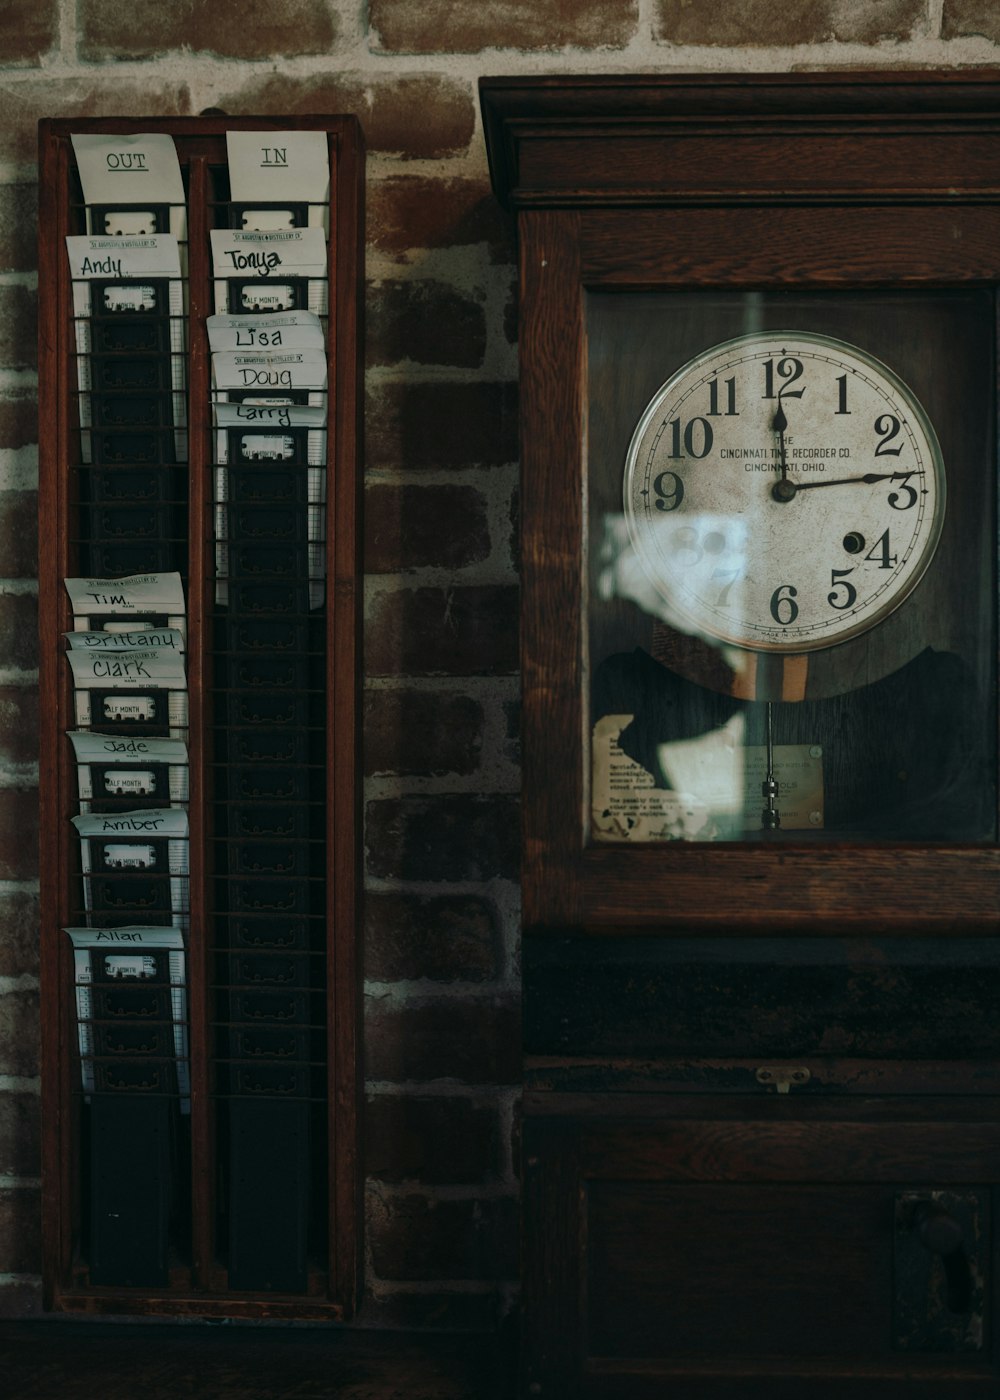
[890, 736]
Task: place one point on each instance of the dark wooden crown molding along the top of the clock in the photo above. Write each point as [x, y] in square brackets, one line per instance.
[709, 139]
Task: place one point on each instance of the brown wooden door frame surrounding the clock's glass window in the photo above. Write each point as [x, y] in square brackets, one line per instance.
[757, 246]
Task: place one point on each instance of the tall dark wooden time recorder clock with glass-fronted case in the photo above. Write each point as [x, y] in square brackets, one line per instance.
[758, 338]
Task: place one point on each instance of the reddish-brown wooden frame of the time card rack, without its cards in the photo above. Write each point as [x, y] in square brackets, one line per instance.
[216, 1171]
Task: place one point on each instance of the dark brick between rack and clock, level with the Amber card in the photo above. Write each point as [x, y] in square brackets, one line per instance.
[467, 836]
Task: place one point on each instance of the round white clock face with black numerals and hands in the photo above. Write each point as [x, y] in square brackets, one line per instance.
[784, 492]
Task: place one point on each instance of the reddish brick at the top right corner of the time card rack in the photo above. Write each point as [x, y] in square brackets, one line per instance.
[419, 117]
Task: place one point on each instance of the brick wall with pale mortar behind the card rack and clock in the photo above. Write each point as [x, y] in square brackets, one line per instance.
[442, 691]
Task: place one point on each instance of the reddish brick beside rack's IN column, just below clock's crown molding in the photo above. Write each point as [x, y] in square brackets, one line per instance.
[417, 212]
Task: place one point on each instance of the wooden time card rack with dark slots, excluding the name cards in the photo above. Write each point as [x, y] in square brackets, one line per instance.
[201, 1095]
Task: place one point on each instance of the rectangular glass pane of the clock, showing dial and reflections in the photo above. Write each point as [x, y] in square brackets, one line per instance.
[791, 624]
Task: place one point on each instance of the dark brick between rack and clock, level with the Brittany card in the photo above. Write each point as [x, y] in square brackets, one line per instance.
[432, 632]
